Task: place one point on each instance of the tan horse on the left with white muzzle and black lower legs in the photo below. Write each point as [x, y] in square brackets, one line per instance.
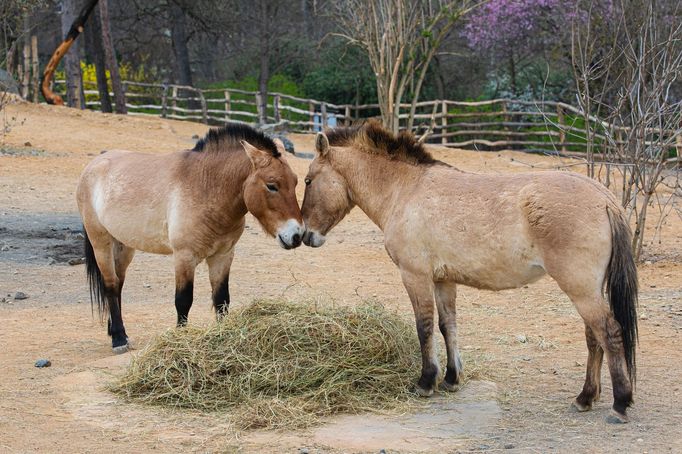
[190, 204]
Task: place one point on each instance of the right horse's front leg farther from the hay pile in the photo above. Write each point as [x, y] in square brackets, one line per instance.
[446, 299]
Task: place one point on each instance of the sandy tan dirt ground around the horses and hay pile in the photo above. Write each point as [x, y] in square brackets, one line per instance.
[530, 341]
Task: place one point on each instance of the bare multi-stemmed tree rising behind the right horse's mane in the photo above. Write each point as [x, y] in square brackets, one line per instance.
[401, 39]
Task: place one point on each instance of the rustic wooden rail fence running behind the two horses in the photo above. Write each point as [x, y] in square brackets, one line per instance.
[537, 126]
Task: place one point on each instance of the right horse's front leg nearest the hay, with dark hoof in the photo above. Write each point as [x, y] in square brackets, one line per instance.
[420, 290]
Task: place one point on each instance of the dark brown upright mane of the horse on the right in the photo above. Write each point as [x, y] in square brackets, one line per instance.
[372, 137]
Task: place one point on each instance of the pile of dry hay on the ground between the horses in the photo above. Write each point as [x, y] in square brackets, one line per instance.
[281, 364]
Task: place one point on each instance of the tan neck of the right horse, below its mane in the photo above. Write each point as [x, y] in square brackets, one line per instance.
[376, 184]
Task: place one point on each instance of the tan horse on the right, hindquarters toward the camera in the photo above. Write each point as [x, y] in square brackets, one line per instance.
[444, 227]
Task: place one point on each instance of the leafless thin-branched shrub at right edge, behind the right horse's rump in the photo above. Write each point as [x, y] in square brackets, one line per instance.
[627, 60]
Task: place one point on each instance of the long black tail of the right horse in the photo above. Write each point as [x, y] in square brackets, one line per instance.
[621, 286]
